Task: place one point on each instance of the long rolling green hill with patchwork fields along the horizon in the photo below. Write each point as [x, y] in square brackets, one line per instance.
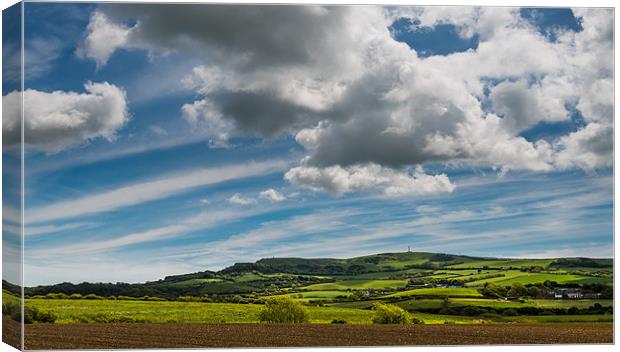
[386, 270]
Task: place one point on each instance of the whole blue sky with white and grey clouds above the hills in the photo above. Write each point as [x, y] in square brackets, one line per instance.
[167, 139]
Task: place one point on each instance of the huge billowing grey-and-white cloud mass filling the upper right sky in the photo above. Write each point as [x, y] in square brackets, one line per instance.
[361, 102]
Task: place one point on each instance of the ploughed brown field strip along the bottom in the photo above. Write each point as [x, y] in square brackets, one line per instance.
[89, 336]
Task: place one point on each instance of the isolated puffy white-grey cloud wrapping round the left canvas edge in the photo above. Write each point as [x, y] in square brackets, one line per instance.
[57, 120]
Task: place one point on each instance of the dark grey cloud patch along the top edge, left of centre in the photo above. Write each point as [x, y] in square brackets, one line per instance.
[258, 35]
